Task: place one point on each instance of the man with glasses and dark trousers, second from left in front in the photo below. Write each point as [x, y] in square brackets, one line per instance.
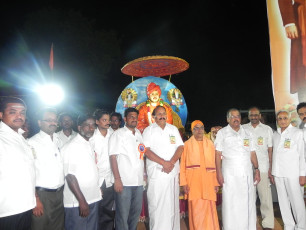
[49, 210]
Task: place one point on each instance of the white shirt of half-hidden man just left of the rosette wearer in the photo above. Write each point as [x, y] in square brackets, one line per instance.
[100, 146]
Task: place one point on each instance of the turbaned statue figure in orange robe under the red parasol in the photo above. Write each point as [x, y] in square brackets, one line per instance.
[145, 112]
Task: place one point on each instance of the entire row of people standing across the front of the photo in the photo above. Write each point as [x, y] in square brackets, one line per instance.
[93, 177]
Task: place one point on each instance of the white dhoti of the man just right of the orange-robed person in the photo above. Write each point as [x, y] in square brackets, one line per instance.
[238, 202]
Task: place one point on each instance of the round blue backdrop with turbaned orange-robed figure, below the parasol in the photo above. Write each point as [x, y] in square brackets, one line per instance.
[138, 94]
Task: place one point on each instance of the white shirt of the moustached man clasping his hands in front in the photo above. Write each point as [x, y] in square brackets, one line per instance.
[164, 143]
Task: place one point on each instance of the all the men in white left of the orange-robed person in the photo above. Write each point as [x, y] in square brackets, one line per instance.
[57, 180]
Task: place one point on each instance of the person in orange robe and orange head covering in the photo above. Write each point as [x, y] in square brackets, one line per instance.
[199, 180]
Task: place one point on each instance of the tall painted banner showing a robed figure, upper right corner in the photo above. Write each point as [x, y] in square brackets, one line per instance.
[287, 30]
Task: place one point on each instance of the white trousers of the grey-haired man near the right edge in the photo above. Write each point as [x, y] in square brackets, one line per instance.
[291, 200]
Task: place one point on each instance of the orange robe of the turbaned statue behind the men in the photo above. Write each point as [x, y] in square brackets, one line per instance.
[143, 117]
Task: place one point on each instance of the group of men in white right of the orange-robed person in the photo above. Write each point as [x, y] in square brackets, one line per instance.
[252, 156]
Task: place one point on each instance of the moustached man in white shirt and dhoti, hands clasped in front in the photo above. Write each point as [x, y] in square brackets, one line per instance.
[164, 148]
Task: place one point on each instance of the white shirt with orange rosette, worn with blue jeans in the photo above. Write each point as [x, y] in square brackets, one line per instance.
[125, 144]
